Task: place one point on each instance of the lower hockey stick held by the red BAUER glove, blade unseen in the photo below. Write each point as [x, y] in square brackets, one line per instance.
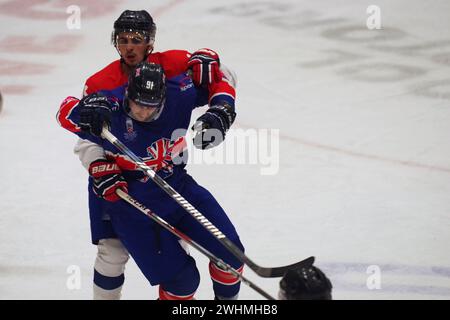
[220, 263]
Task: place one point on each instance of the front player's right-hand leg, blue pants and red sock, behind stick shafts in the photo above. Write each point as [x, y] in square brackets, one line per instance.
[226, 285]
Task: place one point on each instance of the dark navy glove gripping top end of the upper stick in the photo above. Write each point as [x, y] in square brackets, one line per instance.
[95, 111]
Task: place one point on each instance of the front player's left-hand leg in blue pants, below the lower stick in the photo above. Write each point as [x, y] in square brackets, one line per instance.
[157, 253]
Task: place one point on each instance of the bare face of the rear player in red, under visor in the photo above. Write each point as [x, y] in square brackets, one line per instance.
[132, 47]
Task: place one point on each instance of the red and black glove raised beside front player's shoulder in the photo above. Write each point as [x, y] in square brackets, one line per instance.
[204, 65]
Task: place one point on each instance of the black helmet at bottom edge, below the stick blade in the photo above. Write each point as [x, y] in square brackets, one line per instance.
[308, 283]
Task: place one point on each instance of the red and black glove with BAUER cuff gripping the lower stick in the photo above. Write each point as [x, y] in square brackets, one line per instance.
[107, 179]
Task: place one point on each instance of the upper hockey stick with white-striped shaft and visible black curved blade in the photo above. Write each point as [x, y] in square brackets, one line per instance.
[261, 271]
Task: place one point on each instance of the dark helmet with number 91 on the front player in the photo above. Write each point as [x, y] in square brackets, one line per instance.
[147, 87]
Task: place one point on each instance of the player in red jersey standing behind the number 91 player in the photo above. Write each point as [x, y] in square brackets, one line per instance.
[133, 37]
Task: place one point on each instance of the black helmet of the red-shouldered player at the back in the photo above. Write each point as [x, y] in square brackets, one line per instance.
[139, 21]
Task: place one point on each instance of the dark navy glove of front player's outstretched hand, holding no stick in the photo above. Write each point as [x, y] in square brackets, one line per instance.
[211, 127]
